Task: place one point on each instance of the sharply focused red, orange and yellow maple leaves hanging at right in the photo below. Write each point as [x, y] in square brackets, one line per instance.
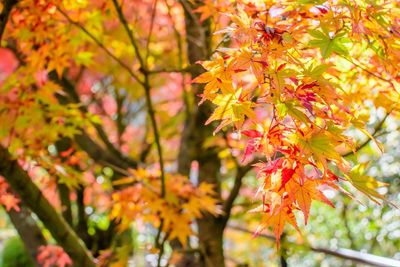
[279, 84]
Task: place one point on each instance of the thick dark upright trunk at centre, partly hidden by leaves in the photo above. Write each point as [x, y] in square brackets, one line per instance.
[194, 135]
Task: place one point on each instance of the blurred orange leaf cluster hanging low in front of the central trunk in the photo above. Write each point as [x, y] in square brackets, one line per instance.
[182, 204]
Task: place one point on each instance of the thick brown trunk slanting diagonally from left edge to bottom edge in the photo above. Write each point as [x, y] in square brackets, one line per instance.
[31, 195]
